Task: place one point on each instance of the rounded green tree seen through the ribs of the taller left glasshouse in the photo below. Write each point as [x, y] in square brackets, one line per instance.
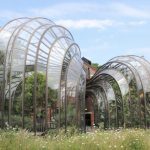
[40, 94]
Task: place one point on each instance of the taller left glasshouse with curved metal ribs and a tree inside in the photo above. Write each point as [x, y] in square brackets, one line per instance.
[32, 49]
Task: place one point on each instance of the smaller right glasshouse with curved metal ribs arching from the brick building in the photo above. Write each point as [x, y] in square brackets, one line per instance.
[125, 82]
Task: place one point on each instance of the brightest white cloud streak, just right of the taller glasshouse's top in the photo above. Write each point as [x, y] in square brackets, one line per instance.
[86, 23]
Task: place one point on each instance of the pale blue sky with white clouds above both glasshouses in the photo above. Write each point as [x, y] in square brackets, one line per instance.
[102, 28]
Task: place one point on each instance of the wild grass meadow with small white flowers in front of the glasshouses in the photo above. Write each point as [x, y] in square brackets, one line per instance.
[127, 139]
